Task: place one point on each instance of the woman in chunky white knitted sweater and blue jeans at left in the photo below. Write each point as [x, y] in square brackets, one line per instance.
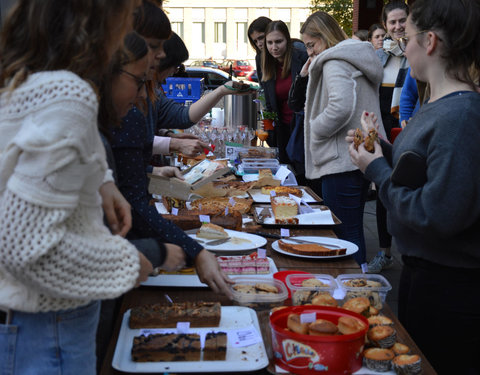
[57, 258]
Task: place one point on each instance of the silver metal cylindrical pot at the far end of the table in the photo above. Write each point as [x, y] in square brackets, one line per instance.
[241, 110]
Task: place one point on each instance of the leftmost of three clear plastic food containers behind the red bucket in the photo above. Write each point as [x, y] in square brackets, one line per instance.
[257, 299]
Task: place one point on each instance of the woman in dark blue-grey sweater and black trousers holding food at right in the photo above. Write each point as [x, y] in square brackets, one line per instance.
[430, 185]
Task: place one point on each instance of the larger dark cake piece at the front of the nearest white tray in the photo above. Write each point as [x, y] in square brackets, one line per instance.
[167, 347]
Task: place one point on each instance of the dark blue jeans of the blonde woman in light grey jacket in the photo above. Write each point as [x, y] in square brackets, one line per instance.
[345, 194]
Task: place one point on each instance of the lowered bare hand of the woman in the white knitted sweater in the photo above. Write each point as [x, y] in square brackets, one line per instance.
[116, 208]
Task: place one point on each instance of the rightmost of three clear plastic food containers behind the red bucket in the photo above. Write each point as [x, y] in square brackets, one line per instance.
[372, 286]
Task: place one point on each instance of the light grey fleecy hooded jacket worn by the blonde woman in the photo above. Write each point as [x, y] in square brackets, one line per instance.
[343, 82]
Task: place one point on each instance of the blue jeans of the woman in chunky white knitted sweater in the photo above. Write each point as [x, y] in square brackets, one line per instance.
[52, 343]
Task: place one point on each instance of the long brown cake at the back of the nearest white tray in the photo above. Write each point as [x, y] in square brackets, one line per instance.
[199, 314]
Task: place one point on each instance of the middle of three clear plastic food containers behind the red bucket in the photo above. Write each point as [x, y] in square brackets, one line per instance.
[302, 293]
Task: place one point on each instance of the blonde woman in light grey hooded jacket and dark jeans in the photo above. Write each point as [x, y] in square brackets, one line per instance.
[344, 77]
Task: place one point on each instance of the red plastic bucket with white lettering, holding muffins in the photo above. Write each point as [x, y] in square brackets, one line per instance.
[305, 354]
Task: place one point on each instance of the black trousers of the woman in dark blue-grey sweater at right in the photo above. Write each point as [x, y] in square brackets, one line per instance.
[440, 308]
